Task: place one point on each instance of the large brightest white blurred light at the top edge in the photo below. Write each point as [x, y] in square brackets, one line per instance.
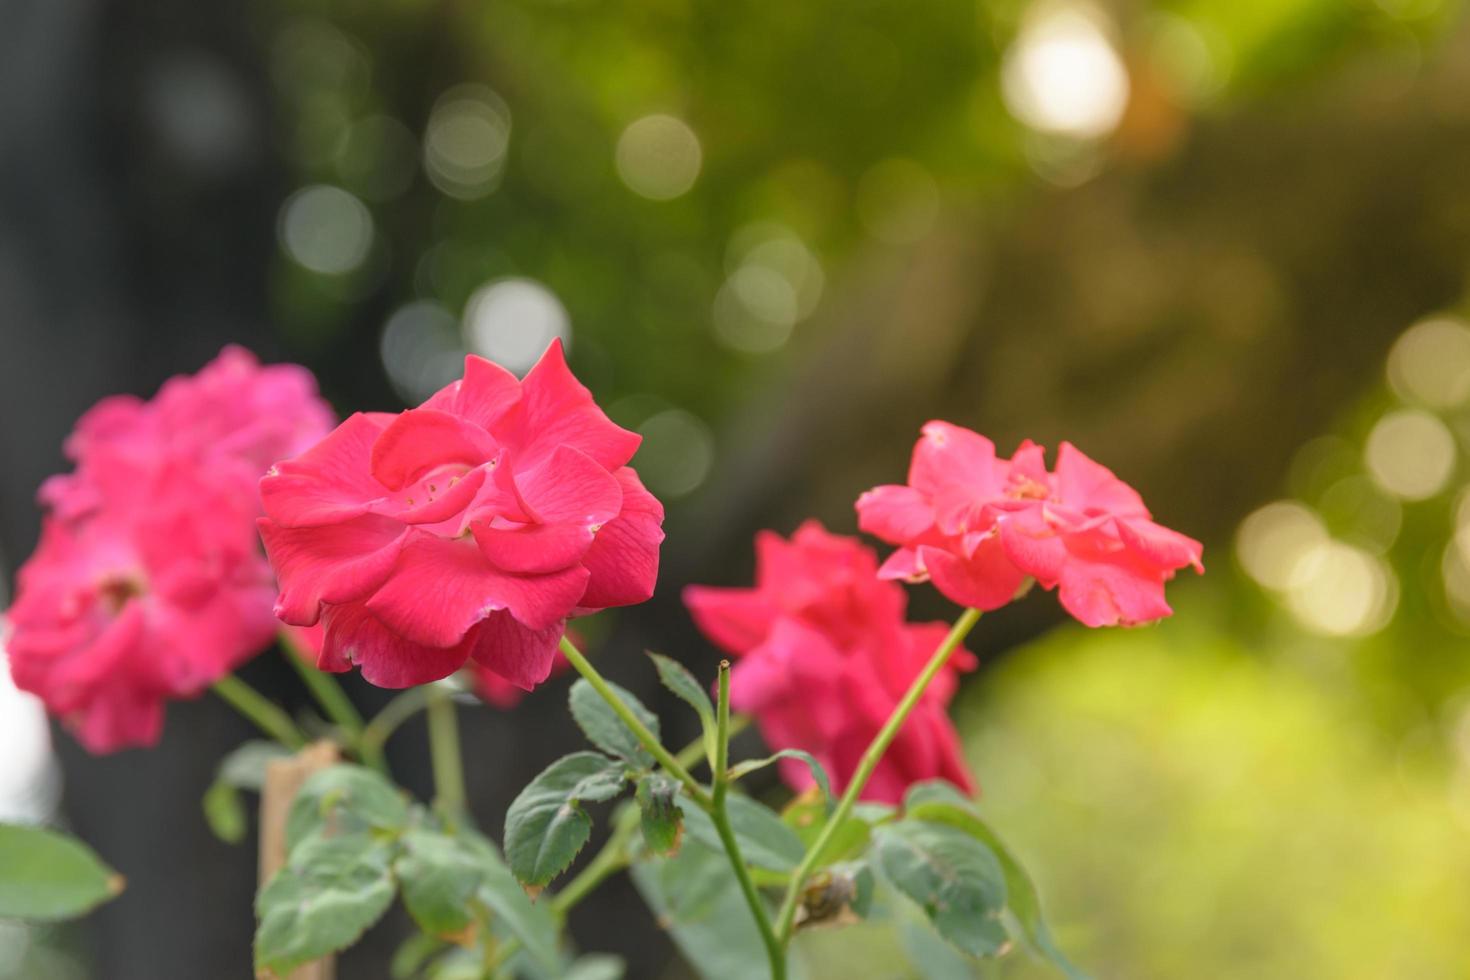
[1062, 74]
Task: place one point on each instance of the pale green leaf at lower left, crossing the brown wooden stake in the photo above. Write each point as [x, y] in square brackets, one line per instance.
[323, 901]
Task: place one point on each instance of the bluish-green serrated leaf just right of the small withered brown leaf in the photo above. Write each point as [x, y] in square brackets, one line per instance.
[956, 879]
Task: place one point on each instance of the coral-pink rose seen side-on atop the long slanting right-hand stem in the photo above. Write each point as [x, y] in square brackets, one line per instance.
[981, 527]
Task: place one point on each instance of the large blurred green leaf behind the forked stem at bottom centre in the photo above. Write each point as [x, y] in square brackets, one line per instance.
[699, 901]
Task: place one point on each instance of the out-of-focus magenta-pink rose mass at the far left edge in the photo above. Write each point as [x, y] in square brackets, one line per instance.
[149, 583]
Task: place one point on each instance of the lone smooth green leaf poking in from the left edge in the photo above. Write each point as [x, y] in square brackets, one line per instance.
[48, 876]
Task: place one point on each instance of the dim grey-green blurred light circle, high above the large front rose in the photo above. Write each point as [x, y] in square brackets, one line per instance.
[467, 140]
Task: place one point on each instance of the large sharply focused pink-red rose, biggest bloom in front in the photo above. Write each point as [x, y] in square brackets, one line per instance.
[468, 528]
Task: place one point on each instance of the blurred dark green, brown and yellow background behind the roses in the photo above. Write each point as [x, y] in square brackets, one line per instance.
[1221, 246]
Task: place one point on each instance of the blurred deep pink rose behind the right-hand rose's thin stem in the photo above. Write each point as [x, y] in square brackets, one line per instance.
[825, 656]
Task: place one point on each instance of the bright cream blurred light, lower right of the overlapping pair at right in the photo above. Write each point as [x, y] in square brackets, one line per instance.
[1344, 591]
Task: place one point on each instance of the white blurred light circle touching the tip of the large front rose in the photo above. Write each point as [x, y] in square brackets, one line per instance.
[514, 321]
